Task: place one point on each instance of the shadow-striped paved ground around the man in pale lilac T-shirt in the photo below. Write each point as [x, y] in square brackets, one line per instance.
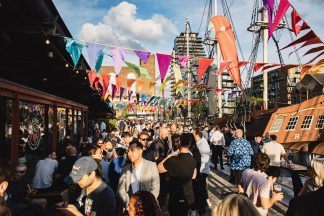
[218, 185]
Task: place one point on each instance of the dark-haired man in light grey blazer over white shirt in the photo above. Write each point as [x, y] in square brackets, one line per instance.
[138, 175]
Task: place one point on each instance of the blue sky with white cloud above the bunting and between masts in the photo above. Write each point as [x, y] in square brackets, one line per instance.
[154, 24]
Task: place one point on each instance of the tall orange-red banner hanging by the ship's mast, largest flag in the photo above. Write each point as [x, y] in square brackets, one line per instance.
[226, 40]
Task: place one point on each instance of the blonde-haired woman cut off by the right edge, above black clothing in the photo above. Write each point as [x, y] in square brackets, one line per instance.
[316, 180]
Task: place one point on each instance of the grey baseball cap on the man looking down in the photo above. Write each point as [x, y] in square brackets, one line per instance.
[83, 166]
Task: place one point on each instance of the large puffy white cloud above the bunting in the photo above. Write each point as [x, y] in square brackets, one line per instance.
[120, 26]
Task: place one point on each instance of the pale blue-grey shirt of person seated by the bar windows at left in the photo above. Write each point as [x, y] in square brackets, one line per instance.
[44, 173]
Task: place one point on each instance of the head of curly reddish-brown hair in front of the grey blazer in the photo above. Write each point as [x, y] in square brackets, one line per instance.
[143, 203]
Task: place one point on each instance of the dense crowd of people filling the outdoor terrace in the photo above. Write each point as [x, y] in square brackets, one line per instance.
[150, 168]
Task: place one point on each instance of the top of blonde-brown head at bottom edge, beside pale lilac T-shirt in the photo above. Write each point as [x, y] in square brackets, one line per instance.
[235, 205]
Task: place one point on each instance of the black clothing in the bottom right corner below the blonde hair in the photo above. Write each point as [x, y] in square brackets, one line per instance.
[309, 204]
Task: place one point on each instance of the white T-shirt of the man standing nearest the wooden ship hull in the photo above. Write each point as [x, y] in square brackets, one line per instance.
[274, 150]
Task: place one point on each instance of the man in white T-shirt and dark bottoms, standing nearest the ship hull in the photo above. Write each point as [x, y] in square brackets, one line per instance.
[275, 151]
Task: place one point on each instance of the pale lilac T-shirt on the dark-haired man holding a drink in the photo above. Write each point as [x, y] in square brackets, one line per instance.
[256, 185]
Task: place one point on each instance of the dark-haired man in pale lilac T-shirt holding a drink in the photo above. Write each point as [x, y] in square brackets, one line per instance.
[258, 187]
